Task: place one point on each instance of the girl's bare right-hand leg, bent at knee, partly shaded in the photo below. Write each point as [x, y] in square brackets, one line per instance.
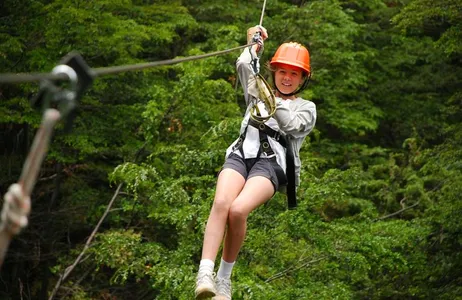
[257, 190]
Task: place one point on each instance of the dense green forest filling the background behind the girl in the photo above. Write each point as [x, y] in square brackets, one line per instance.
[379, 209]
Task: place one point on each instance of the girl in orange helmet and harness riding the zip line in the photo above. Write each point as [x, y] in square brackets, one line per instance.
[256, 163]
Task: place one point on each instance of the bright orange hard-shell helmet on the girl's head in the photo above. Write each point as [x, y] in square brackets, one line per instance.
[293, 54]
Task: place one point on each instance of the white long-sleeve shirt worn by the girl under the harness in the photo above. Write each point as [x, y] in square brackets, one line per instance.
[293, 118]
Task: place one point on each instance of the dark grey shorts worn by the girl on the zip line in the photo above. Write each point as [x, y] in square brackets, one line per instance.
[252, 167]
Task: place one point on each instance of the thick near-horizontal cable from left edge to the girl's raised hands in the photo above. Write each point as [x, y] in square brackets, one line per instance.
[32, 77]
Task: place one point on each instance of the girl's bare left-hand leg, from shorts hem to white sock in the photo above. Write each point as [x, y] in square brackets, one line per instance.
[229, 185]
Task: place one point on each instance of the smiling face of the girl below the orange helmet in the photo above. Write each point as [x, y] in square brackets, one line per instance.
[287, 79]
